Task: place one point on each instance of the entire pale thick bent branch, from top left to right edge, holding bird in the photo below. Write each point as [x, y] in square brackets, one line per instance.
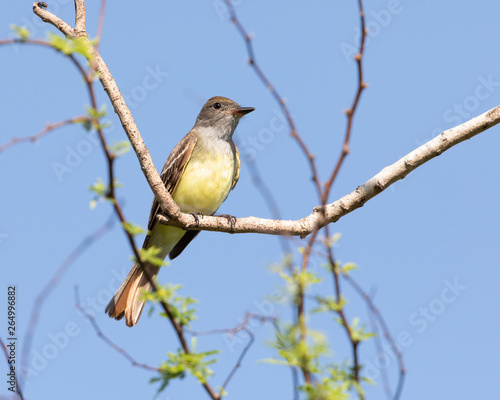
[321, 216]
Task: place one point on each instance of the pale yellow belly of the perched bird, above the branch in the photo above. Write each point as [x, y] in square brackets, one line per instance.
[205, 183]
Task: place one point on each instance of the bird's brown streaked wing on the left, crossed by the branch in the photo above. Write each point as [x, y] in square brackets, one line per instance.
[172, 172]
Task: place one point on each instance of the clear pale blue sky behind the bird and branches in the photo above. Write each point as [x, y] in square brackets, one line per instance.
[428, 246]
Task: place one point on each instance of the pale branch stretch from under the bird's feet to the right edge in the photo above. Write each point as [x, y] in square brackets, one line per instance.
[336, 210]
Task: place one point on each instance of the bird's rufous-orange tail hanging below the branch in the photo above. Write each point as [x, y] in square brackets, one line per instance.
[127, 300]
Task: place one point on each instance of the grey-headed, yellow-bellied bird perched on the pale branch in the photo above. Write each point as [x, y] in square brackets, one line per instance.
[199, 173]
